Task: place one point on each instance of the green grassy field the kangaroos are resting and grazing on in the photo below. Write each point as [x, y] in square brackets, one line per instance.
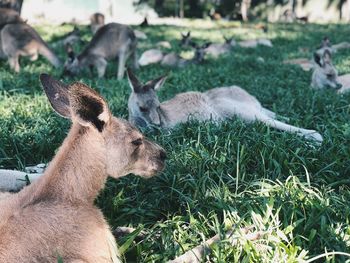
[218, 177]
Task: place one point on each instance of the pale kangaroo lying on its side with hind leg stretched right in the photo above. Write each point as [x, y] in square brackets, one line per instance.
[216, 104]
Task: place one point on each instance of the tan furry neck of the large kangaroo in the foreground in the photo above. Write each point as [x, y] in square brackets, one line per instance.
[77, 173]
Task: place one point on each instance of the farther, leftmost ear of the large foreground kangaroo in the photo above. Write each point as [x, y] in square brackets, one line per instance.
[57, 93]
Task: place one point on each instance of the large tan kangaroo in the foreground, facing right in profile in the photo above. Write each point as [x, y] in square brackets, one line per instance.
[55, 217]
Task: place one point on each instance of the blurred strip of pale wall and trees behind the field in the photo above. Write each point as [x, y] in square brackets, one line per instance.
[134, 11]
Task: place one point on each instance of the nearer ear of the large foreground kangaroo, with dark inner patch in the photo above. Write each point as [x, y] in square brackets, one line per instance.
[88, 107]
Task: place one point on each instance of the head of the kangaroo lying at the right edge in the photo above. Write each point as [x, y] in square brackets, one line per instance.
[324, 71]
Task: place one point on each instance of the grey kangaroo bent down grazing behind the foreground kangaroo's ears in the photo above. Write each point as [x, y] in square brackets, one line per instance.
[110, 41]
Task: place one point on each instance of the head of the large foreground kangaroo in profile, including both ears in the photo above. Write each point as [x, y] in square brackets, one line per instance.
[125, 149]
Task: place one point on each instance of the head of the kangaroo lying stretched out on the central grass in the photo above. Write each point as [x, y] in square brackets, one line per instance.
[143, 101]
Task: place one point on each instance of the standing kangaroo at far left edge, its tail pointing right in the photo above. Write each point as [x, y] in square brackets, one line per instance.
[21, 39]
